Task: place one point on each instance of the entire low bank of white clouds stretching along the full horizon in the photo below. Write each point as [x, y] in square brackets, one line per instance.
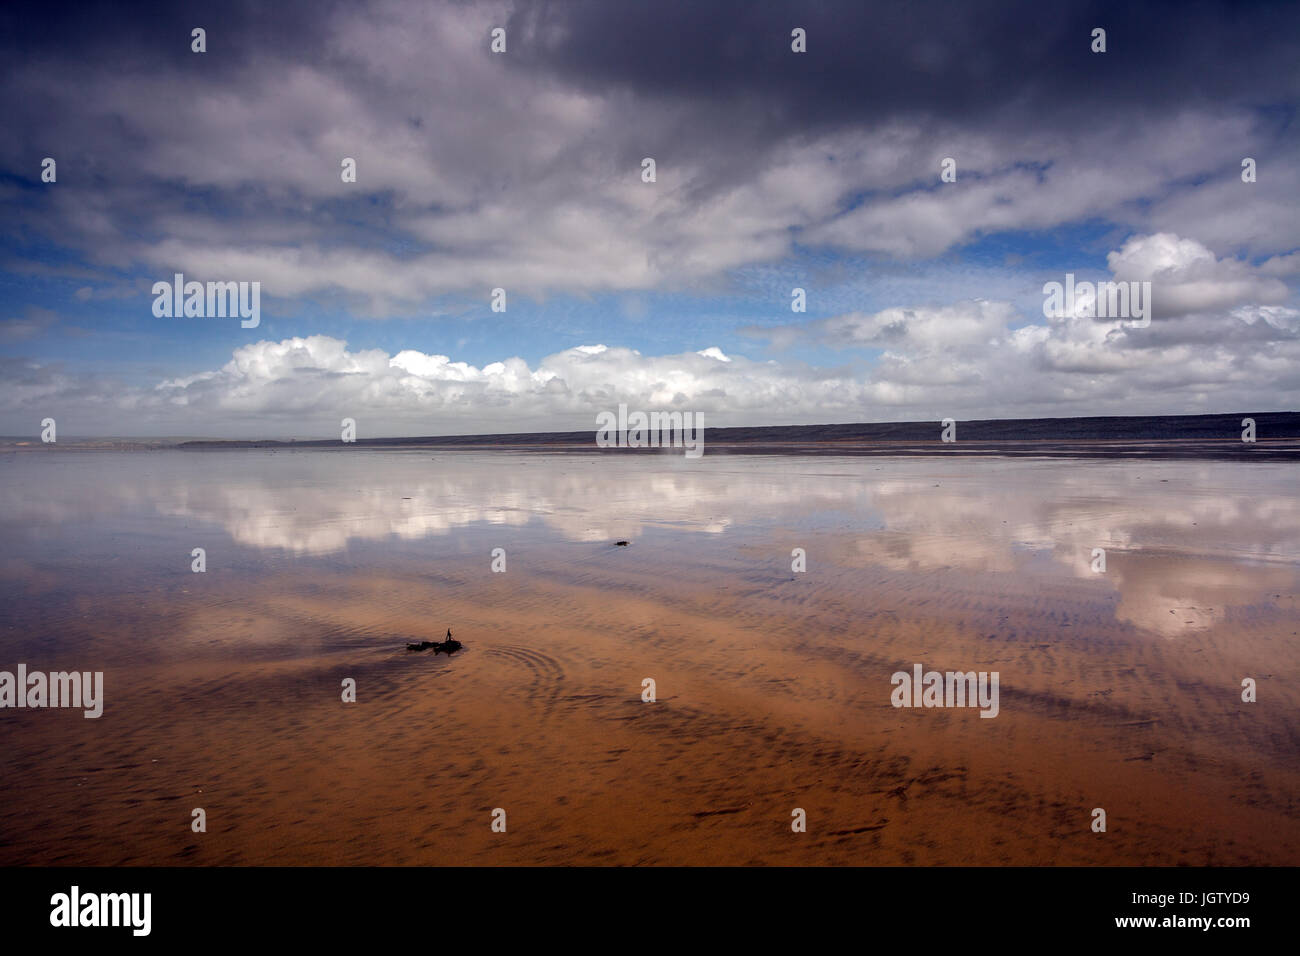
[968, 360]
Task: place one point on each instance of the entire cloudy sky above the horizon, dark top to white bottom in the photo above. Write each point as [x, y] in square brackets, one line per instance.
[523, 171]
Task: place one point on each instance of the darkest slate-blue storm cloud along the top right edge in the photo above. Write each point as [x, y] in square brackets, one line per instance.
[959, 60]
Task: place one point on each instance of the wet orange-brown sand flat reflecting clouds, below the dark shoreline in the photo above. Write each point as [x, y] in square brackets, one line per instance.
[1119, 690]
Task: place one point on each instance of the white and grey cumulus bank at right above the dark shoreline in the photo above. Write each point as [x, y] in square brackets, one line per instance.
[1216, 334]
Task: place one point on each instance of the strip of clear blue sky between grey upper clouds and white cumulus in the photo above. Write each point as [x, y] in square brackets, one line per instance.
[141, 348]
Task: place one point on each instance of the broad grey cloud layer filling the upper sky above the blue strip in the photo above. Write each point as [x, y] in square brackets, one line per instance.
[522, 171]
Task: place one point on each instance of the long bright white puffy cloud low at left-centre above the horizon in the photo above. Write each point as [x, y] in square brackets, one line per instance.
[302, 380]
